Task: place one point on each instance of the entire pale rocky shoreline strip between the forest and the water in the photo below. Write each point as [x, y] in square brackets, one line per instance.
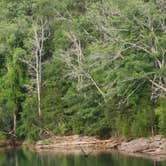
[152, 147]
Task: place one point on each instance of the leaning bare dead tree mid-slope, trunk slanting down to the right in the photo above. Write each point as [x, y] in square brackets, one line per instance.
[74, 58]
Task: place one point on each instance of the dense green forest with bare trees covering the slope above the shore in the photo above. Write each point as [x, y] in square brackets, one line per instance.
[90, 67]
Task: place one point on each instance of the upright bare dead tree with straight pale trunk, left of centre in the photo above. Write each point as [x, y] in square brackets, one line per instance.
[40, 33]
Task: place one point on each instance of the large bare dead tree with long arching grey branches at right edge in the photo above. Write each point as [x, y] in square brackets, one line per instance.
[149, 45]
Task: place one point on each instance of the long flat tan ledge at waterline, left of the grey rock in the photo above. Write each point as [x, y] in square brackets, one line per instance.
[76, 142]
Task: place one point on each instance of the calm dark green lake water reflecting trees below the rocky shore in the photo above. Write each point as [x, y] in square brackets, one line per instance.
[27, 158]
